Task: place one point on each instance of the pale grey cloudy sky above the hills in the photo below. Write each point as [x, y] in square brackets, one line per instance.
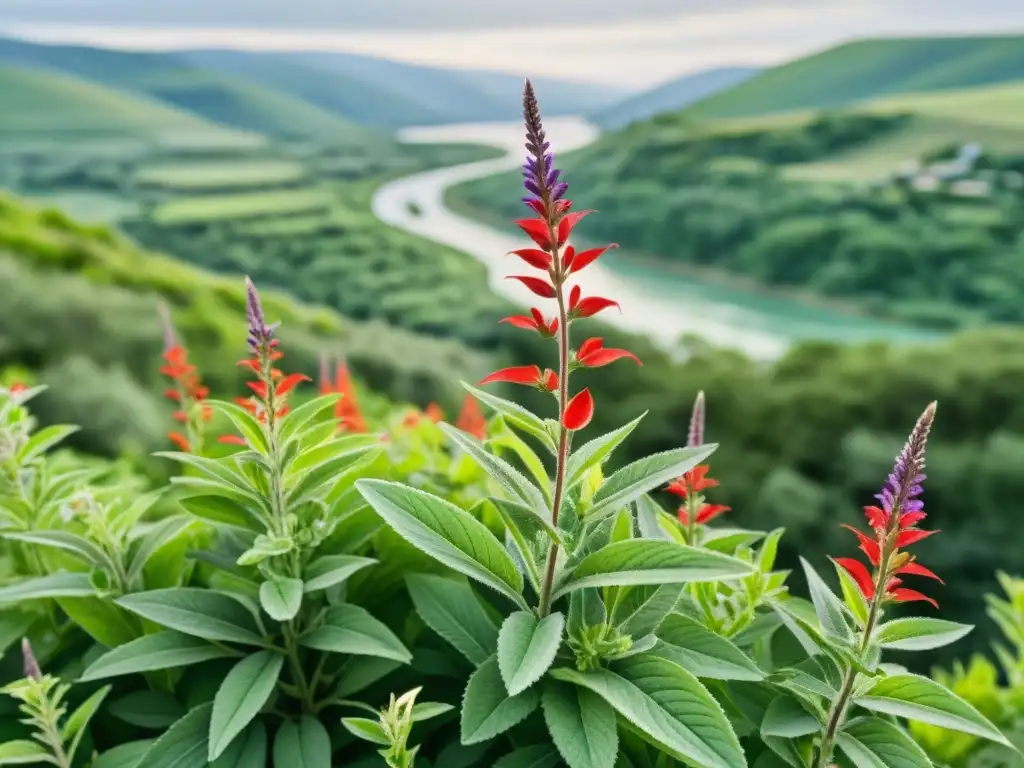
[633, 44]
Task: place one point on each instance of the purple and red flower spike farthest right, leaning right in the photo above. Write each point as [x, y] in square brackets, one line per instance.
[894, 527]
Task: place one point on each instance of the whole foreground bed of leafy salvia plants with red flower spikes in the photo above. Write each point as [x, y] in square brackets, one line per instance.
[269, 606]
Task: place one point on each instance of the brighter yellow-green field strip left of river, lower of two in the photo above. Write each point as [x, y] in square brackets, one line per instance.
[202, 209]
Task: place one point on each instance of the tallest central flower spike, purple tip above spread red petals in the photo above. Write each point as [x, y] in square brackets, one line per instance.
[558, 262]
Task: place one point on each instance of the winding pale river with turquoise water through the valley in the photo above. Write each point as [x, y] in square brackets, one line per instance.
[663, 305]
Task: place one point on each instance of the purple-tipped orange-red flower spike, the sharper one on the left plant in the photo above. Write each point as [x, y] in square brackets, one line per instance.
[270, 400]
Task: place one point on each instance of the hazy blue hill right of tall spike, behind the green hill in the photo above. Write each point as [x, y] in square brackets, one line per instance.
[673, 96]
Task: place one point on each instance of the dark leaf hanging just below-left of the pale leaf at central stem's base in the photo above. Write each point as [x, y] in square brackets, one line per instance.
[487, 711]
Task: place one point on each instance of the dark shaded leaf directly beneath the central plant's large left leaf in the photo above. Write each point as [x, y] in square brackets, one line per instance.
[452, 610]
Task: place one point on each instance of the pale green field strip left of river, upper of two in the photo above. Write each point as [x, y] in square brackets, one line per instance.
[226, 175]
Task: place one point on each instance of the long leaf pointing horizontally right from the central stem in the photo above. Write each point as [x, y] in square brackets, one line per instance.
[650, 562]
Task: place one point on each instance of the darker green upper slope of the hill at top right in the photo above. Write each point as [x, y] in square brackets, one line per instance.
[871, 69]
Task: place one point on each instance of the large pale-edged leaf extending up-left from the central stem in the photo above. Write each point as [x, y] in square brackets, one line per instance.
[448, 534]
